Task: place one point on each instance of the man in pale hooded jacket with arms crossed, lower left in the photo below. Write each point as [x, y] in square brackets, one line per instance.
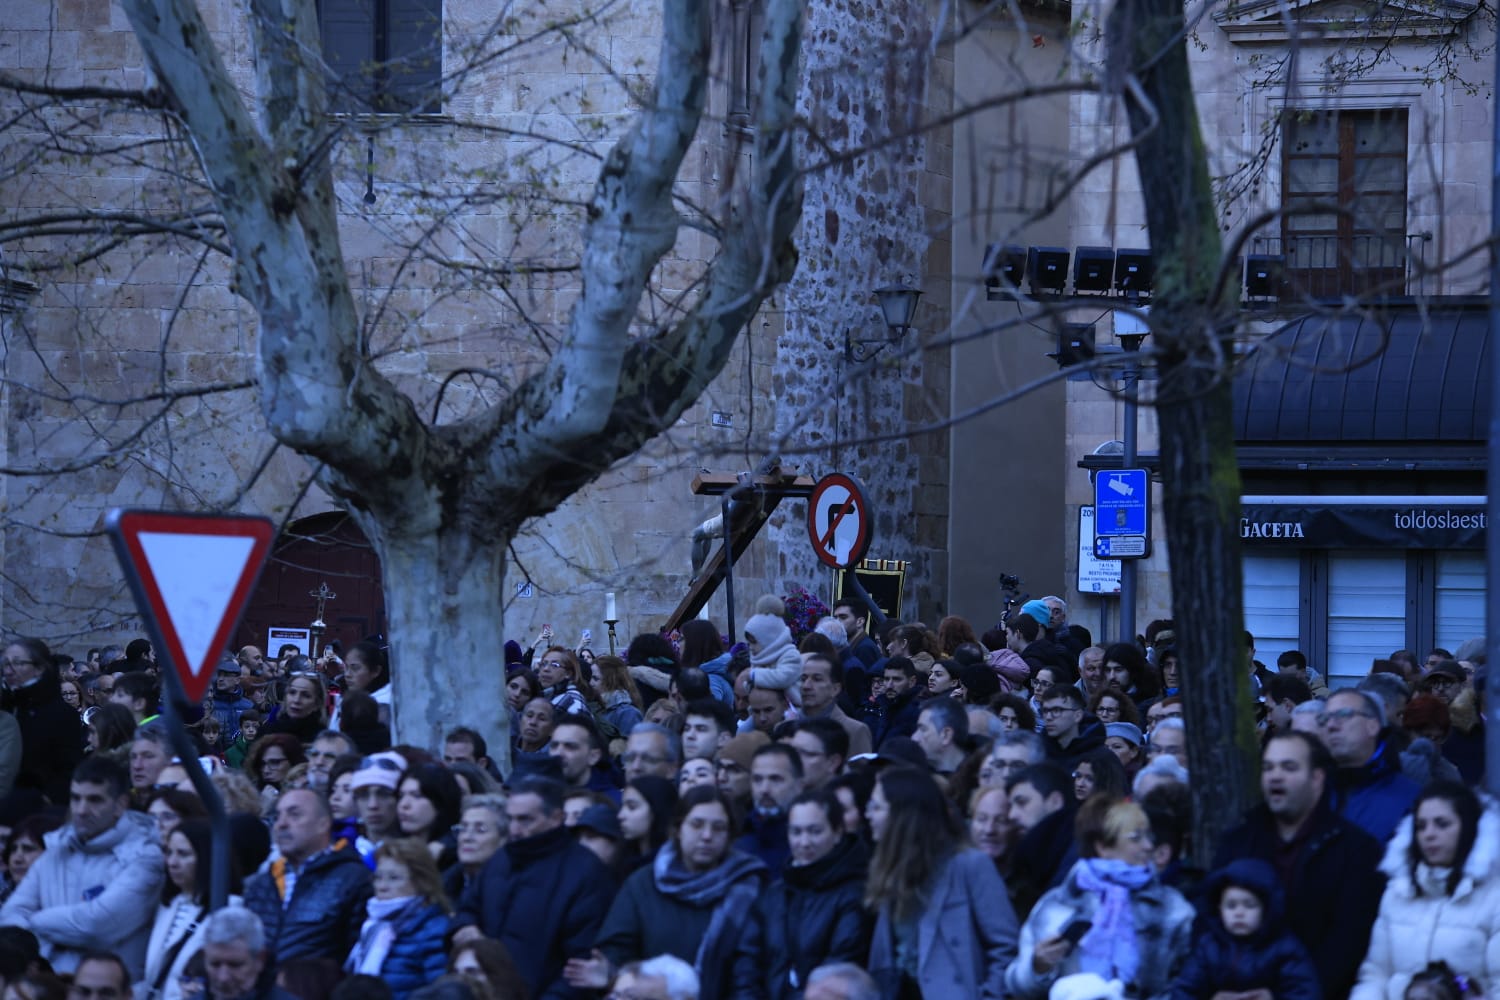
[98, 882]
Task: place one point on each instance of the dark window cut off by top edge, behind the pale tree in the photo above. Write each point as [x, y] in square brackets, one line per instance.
[383, 56]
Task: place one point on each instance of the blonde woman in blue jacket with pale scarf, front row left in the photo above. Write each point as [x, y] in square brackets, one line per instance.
[403, 939]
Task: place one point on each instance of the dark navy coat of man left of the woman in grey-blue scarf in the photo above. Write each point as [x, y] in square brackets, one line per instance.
[545, 899]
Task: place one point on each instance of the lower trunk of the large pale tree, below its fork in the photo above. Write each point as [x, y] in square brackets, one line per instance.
[446, 624]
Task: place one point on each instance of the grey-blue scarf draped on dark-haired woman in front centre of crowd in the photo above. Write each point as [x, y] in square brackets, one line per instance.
[731, 888]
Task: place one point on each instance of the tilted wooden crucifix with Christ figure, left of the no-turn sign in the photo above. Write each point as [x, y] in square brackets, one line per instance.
[746, 503]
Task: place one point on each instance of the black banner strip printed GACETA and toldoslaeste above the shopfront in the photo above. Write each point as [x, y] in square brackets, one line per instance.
[1396, 527]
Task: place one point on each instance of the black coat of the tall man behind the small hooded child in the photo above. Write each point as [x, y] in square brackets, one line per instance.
[1333, 888]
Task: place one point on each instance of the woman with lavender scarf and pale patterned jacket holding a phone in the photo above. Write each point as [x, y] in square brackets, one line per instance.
[1111, 915]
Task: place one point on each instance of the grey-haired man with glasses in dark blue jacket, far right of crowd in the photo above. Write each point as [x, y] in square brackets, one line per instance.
[1370, 789]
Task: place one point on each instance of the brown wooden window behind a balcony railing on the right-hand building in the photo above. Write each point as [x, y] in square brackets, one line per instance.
[1345, 196]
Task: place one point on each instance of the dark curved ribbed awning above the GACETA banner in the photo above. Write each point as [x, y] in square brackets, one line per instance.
[1391, 377]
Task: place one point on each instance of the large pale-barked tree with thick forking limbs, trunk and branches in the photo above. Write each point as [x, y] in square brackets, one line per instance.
[442, 503]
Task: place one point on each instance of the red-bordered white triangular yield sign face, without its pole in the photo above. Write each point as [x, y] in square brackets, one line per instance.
[193, 576]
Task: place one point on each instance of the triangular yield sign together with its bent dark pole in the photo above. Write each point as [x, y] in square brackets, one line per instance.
[179, 590]
